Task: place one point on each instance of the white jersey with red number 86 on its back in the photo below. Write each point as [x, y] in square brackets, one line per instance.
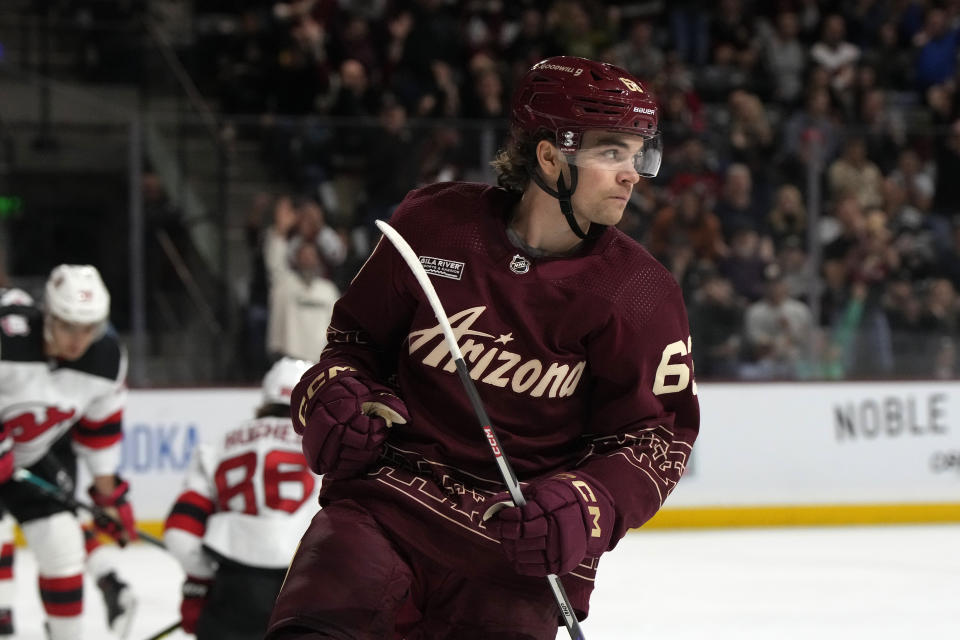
[248, 498]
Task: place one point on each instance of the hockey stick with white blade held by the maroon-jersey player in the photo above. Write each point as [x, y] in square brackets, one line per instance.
[506, 471]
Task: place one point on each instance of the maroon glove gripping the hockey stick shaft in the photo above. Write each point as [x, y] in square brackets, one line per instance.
[567, 518]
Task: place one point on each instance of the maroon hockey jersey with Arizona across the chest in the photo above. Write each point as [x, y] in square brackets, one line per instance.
[582, 362]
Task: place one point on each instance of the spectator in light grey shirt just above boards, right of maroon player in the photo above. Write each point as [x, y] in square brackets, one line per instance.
[777, 331]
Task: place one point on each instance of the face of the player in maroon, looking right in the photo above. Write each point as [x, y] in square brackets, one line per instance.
[607, 163]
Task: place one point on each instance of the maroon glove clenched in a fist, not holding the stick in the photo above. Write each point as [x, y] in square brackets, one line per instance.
[347, 422]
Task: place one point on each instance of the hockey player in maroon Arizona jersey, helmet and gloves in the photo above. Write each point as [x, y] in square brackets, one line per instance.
[579, 344]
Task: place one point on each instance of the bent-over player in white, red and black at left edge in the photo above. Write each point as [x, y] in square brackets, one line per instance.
[62, 395]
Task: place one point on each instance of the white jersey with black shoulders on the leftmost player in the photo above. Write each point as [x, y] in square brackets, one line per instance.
[41, 398]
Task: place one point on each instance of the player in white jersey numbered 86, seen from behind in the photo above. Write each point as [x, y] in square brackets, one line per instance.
[247, 500]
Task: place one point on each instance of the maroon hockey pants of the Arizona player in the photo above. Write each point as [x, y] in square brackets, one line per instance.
[348, 580]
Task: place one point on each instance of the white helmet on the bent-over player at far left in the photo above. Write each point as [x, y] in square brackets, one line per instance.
[76, 294]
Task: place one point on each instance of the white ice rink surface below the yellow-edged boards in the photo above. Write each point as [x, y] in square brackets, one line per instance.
[834, 582]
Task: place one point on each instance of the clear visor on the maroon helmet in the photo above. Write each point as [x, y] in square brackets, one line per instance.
[614, 151]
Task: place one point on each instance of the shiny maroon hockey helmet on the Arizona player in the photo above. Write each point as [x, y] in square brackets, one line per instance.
[566, 96]
